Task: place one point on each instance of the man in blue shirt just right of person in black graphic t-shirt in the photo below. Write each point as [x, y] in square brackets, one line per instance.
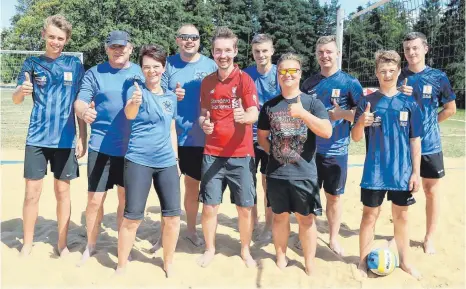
[340, 93]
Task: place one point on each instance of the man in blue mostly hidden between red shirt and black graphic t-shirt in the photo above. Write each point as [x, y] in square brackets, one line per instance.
[264, 74]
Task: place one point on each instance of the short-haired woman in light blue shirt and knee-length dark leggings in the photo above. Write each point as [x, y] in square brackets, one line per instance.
[151, 157]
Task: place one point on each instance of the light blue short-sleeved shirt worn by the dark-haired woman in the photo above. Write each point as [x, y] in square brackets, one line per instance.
[150, 142]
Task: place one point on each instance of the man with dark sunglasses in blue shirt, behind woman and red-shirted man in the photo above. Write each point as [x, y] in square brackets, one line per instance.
[183, 75]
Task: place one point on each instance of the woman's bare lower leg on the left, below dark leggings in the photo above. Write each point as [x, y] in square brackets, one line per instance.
[126, 237]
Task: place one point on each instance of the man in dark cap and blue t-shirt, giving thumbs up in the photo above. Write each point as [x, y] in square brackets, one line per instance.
[100, 103]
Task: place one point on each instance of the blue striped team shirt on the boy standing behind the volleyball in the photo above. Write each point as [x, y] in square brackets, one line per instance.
[397, 119]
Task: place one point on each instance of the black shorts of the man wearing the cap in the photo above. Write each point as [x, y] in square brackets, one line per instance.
[104, 171]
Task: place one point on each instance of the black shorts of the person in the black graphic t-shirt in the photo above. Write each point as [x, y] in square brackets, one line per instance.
[294, 196]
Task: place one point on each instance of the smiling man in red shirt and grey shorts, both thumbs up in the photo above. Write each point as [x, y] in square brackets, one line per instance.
[228, 109]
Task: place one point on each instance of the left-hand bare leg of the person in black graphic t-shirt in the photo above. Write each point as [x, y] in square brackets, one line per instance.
[281, 232]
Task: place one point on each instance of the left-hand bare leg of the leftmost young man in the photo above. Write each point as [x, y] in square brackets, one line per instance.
[30, 212]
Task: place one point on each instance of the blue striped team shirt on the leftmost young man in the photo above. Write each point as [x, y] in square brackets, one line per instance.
[56, 83]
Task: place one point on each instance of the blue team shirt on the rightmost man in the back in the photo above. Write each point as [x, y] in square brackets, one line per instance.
[431, 88]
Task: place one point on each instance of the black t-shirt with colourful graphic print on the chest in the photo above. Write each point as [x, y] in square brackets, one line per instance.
[293, 144]
